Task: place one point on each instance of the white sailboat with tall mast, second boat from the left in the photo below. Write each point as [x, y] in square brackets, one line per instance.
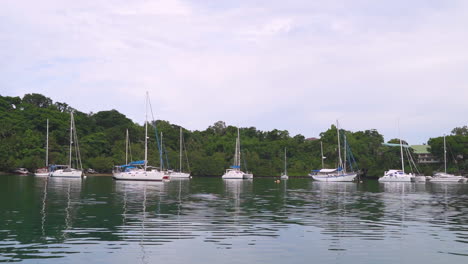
[67, 170]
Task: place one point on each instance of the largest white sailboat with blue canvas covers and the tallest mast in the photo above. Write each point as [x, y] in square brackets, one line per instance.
[140, 170]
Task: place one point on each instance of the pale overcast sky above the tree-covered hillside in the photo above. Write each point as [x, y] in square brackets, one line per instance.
[294, 65]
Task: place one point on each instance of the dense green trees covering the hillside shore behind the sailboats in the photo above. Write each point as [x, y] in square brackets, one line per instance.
[102, 143]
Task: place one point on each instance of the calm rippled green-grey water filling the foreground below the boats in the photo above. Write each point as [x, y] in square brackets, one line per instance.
[208, 220]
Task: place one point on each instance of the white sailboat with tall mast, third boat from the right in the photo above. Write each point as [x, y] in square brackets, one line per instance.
[334, 175]
